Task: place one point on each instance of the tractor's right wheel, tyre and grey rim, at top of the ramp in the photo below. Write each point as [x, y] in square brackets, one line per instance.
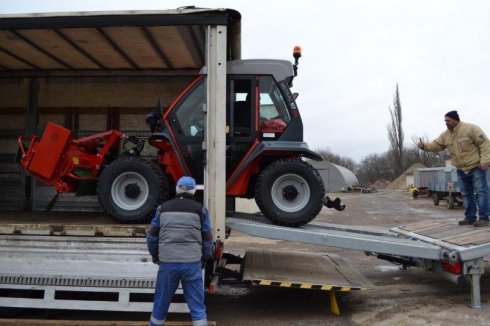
[290, 192]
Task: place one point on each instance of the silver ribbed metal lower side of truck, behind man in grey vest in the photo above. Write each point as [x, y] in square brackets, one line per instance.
[80, 273]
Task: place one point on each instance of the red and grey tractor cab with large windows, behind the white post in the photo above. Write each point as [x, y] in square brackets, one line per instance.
[260, 107]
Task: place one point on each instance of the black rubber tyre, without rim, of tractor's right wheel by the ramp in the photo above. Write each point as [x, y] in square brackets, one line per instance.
[262, 205]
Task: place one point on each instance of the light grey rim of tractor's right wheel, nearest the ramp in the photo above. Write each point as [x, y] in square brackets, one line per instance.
[290, 193]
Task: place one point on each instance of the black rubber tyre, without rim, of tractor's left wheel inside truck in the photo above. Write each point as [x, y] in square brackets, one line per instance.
[157, 183]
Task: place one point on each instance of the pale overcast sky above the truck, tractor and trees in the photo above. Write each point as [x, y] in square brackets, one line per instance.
[354, 54]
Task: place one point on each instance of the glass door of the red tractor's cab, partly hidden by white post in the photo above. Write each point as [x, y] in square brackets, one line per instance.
[187, 122]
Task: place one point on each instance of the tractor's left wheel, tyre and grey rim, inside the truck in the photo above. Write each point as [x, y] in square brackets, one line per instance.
[130, 189]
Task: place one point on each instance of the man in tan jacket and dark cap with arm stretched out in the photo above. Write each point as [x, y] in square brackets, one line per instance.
[470, 154]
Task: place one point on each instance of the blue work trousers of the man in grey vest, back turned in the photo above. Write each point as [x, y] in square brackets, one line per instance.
[168, 277]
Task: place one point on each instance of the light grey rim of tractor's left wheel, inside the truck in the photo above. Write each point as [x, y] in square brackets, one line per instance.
[130, 191]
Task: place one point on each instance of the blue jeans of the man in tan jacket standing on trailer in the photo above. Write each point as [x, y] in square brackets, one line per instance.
[474, 189]
